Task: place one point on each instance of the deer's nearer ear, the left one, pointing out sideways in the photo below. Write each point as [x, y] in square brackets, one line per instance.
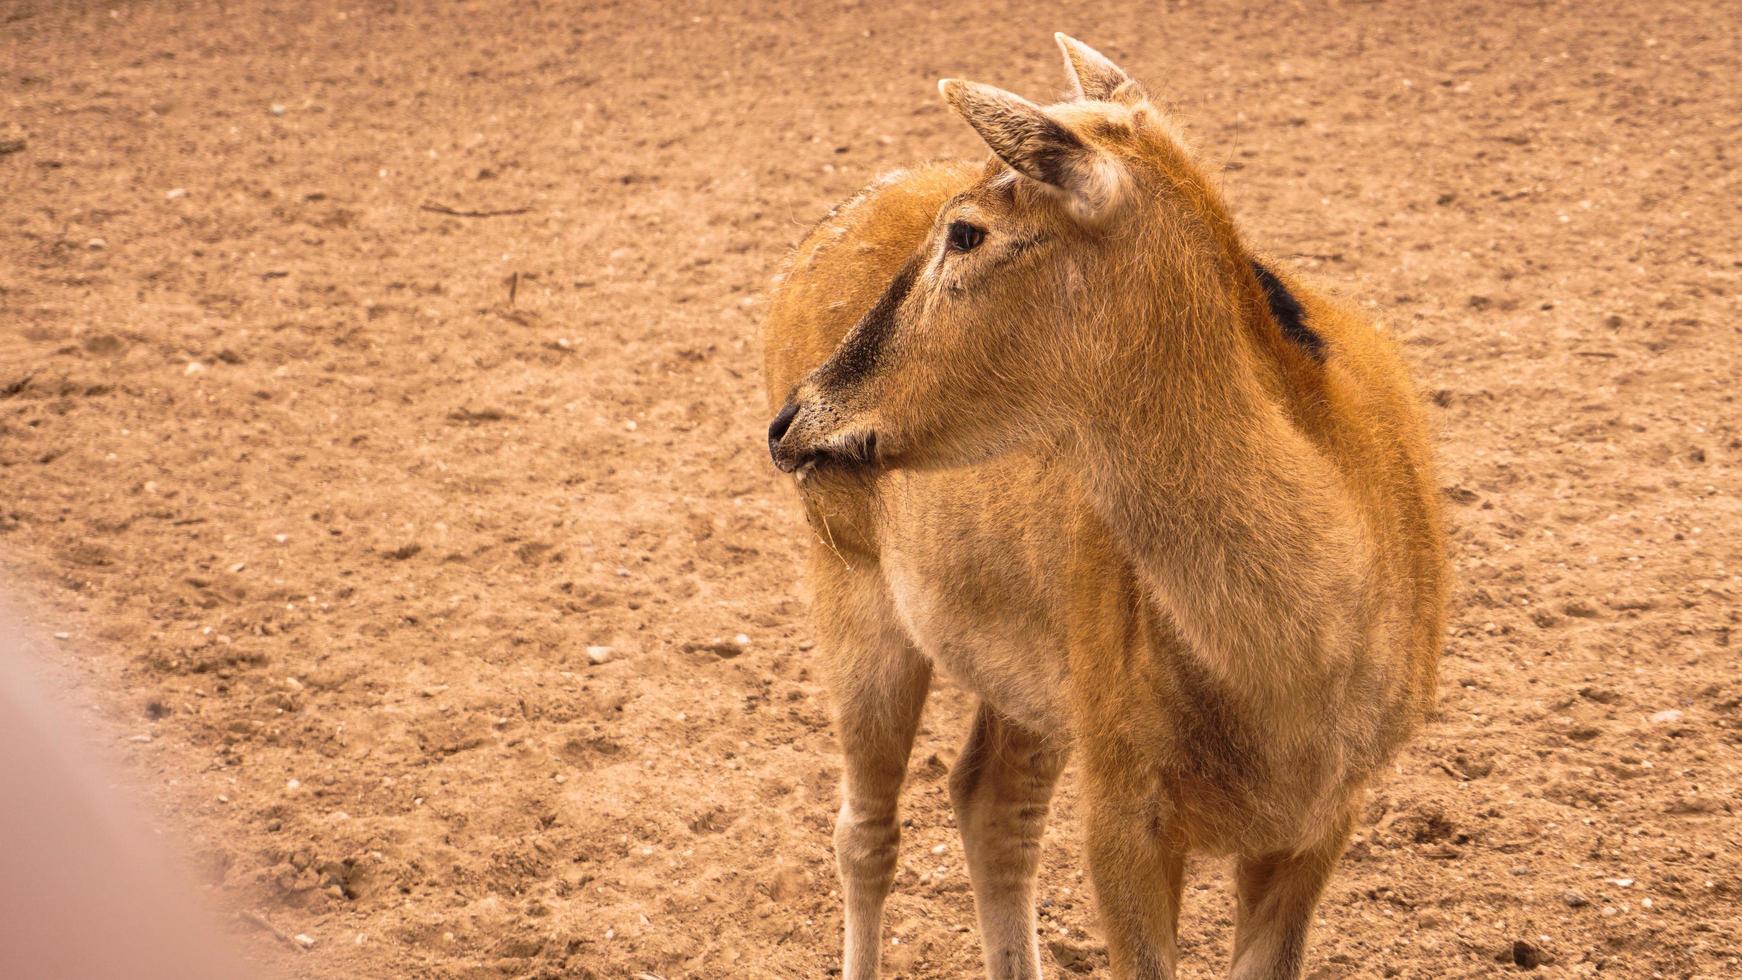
[1034, 144]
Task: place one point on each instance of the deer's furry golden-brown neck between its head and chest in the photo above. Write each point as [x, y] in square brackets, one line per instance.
[1239, 527]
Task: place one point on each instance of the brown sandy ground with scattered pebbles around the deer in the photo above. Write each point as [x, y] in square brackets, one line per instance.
[328, 490]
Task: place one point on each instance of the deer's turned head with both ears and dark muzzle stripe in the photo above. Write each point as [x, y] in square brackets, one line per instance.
[1088, 220]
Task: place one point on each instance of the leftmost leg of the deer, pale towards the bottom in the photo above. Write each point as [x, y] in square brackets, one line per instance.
[879, 694]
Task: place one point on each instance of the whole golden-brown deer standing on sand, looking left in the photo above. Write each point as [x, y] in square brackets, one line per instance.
[1163, 507]
